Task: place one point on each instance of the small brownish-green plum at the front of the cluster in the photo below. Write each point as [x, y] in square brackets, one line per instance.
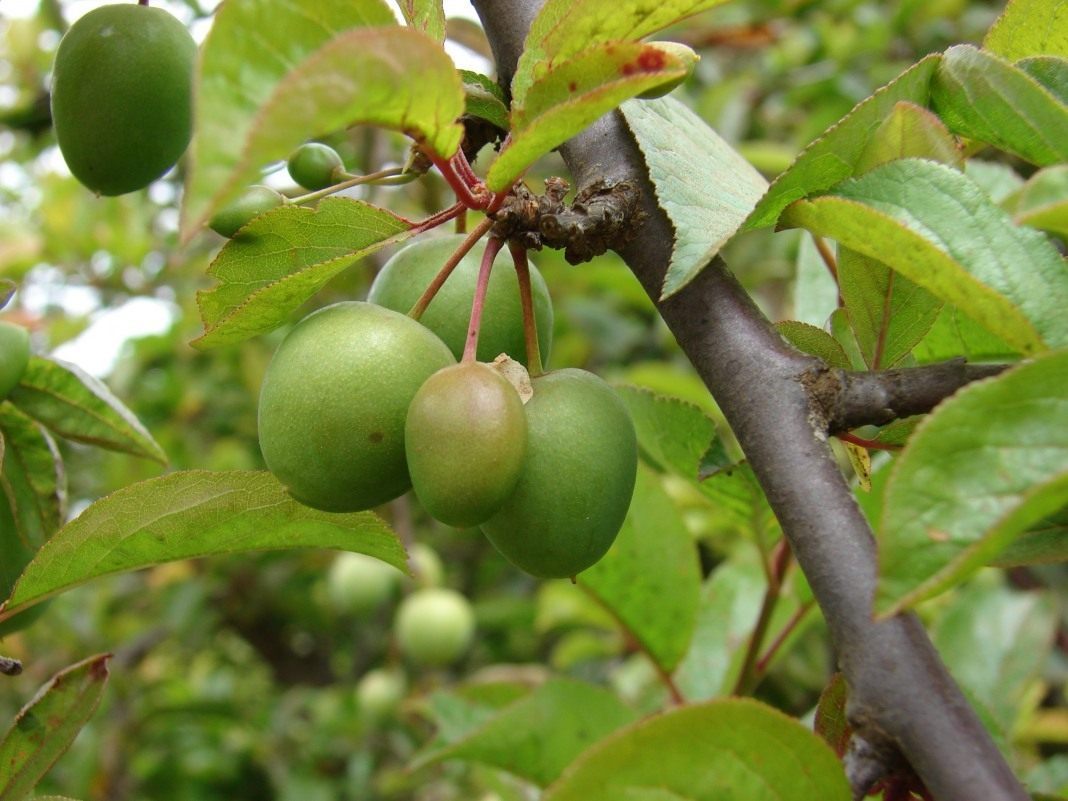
[466, 438]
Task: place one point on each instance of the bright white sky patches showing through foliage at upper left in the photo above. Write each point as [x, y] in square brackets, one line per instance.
[98, 349]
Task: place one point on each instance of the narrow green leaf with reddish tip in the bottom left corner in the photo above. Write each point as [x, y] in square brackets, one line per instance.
[46, 727]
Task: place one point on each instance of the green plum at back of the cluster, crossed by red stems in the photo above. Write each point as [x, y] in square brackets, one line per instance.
[404, 278]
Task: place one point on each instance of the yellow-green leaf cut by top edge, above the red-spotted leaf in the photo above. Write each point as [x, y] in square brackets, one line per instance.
[564, 28]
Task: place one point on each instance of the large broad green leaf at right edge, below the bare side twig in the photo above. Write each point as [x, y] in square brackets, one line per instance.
[990, 463]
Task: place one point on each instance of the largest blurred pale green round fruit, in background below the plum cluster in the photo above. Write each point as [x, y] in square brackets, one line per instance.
[434, 627]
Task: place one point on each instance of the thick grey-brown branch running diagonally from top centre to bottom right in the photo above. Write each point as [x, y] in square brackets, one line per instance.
[902, 697]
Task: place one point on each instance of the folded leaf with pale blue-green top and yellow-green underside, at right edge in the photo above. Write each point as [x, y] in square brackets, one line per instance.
[940, 231]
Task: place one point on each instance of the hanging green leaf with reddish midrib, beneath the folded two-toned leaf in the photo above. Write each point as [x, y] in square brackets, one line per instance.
[890, 315]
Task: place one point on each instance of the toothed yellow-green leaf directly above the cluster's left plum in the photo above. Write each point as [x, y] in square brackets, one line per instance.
[282, 259]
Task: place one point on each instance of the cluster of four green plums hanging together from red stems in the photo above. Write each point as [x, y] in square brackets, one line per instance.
[360, 403]
